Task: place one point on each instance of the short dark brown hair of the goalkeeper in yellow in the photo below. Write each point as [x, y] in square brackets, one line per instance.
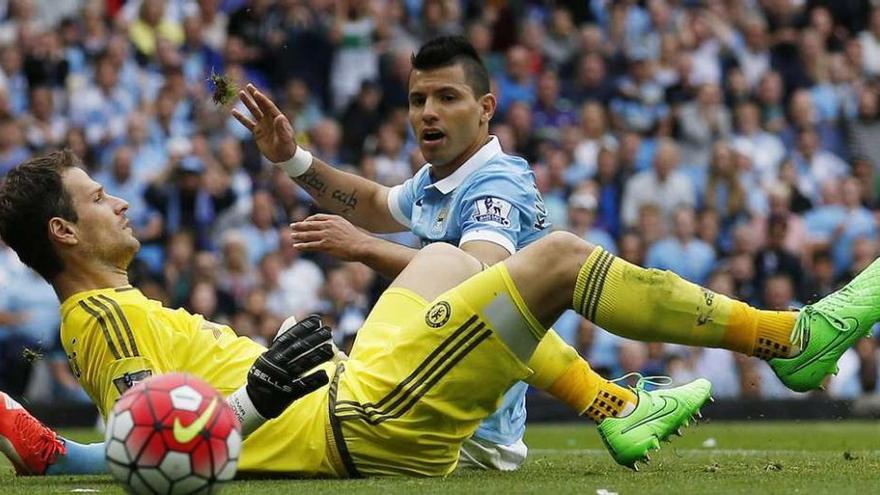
[31, 194]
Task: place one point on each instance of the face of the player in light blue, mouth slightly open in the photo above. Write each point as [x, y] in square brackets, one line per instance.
[449, 121]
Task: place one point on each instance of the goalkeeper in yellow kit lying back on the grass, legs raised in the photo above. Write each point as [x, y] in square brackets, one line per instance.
[432, 360]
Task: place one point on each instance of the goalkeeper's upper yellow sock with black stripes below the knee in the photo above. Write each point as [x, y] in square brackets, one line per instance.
[654, 305]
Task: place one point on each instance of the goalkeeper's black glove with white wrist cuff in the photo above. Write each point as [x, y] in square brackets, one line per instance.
[277, 377]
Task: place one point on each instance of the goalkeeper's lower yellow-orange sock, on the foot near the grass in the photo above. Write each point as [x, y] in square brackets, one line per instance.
[561, 372]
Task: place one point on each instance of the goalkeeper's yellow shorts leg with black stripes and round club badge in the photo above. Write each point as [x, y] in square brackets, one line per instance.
[406, 407]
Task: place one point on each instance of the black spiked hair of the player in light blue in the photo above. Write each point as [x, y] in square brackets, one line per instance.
[446, 51]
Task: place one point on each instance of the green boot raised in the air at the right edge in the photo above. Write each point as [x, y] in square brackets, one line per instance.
[826, 329]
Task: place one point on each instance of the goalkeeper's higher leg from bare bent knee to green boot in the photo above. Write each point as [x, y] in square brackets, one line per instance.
[563, 271]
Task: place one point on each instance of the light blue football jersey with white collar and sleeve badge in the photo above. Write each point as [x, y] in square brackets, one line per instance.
[491, 197]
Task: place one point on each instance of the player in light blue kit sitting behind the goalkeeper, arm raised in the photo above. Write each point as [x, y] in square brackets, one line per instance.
[471, 194]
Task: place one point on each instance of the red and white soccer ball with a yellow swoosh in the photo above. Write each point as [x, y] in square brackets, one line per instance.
[172, 434]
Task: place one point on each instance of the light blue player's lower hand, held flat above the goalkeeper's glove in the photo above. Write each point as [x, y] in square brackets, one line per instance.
[329, 234]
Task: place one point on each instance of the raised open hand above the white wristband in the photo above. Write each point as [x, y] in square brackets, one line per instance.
[271, 129]
